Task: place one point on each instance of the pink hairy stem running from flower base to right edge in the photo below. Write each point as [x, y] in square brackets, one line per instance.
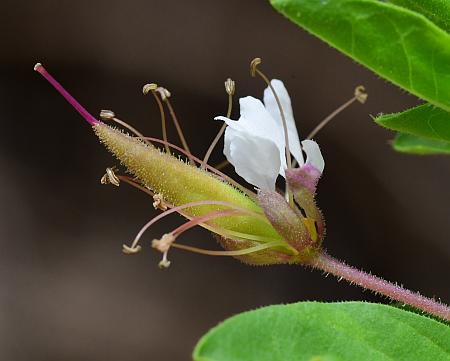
[339, 269]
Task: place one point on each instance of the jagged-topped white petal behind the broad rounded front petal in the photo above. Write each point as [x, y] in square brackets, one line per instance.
[257, 122]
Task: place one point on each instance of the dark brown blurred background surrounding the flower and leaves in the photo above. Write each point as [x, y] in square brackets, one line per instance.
[67, 291]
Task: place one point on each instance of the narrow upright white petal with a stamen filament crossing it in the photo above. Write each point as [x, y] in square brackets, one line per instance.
[272, 108]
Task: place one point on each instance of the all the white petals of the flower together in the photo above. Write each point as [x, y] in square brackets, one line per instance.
[255, 144]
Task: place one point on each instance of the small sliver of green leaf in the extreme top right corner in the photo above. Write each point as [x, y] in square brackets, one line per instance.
[438, 11]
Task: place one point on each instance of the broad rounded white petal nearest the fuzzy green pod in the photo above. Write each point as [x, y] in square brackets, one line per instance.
[255, 159]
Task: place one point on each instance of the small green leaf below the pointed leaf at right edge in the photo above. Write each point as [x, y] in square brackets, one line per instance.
[407, 143]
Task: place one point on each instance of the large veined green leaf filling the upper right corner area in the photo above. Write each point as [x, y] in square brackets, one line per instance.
[398, 44]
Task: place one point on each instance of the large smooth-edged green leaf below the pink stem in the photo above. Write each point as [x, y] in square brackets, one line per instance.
[326, 331]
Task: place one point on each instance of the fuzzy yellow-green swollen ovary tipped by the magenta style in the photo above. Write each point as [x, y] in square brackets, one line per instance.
[180, 183]
